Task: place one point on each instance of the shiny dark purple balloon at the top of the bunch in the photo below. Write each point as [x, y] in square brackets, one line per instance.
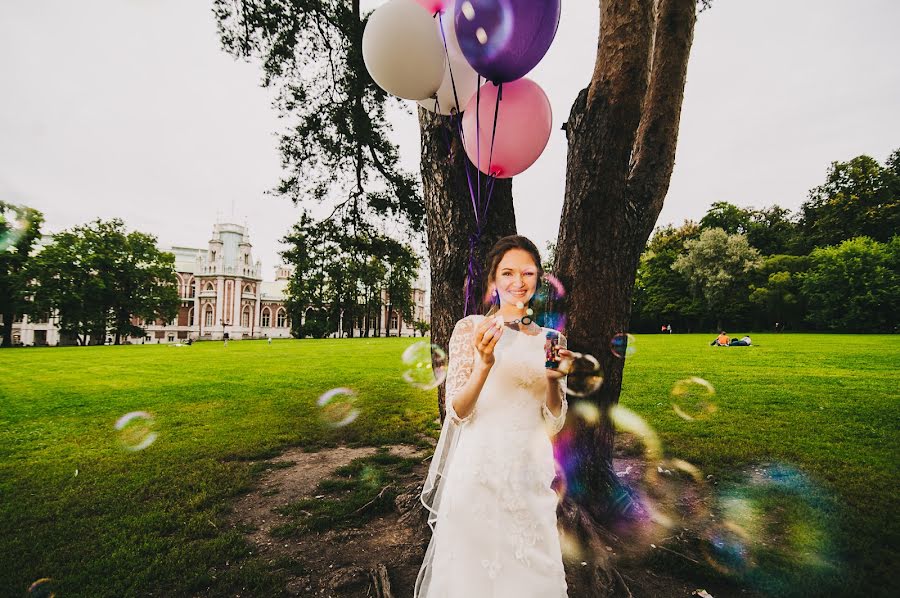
[504, 39]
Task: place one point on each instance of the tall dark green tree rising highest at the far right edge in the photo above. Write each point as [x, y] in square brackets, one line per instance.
[858, 198]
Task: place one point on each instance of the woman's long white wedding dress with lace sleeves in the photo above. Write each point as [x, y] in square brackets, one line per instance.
[491, 507]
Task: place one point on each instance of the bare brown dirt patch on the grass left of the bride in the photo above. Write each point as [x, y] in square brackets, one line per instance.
[343, 562]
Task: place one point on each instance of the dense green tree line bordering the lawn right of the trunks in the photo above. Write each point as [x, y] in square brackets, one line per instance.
[834, 266]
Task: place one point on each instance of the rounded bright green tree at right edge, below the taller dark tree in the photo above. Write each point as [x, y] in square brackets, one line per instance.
[854, 286]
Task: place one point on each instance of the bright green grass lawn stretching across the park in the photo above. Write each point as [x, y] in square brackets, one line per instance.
[151, 522]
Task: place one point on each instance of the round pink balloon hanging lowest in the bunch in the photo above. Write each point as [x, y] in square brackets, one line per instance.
[523, 127]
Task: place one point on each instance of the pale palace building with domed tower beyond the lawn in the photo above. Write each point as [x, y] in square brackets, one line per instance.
[223, 292]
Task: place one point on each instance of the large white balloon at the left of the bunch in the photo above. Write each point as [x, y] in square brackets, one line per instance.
[403, 51]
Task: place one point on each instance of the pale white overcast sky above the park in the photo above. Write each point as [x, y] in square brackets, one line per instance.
[130, 109]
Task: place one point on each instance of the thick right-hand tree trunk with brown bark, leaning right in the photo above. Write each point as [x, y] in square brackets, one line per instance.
[622, 132]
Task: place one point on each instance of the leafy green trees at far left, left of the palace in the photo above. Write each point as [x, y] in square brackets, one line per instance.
[96, 279]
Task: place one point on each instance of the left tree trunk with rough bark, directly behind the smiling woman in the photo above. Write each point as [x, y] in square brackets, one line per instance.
[451, 221]
